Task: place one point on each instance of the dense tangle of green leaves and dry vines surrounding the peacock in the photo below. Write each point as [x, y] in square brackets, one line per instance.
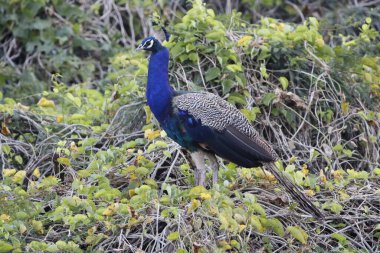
[86, 169]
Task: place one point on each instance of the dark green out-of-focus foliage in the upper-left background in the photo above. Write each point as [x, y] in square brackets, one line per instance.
[57, 36]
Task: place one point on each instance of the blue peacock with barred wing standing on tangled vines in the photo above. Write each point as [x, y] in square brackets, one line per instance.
[207, 125]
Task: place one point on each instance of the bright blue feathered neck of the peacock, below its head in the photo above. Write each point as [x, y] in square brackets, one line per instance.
[159, 92]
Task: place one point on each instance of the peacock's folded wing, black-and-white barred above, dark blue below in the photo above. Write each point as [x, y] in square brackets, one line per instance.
[223, 129]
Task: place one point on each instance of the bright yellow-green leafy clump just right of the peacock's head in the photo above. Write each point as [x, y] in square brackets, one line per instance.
[201, 37]
